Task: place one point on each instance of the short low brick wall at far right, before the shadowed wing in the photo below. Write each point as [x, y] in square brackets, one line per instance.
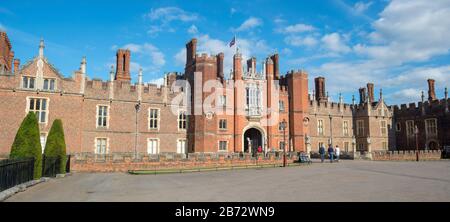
[408, 155]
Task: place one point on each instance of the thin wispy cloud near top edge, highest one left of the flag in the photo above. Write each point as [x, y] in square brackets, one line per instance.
[168, 14]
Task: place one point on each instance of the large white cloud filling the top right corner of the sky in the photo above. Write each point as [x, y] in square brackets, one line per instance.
[411, 31]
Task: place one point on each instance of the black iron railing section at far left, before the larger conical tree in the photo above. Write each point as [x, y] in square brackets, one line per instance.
[15, 171]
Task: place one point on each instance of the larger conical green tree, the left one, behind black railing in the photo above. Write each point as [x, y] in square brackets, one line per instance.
[27, 143]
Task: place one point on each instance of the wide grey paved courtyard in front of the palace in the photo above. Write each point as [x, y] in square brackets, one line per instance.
[344, 181]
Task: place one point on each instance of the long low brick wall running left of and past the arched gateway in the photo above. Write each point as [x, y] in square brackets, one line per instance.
[87, 162]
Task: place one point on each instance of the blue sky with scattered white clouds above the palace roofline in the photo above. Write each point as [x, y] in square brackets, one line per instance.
[396, 44]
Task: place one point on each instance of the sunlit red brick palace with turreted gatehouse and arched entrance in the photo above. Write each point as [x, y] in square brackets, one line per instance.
[249, 110]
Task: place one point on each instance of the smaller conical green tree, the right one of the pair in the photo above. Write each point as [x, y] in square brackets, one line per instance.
[56, 144]
